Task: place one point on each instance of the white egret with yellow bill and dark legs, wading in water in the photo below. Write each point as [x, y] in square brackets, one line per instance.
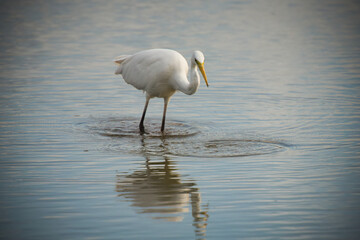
[160, 73]
